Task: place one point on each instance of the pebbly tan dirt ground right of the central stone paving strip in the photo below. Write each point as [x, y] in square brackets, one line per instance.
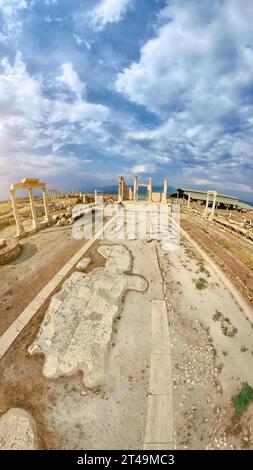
[212, 353]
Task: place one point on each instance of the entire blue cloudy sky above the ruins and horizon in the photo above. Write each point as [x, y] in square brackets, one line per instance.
[93, 89]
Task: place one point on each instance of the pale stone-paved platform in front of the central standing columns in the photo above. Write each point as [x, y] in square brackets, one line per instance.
[140, 221]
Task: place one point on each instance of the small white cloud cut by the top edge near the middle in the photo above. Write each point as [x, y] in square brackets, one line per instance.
[108, 11]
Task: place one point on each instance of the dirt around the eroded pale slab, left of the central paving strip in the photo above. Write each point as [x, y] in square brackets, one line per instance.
[67, 414]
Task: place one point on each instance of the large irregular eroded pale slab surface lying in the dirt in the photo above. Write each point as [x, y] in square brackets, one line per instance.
[77, 328]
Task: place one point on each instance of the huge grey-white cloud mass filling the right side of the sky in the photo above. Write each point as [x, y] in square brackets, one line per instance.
[196, 74]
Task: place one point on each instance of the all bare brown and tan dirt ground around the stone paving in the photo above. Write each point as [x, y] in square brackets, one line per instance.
[211, 338]
